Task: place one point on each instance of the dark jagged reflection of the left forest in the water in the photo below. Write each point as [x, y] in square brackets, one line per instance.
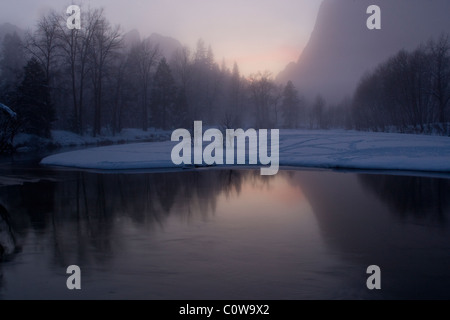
[83, 211]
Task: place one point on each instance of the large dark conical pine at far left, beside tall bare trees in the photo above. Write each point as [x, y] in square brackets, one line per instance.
[33, 103]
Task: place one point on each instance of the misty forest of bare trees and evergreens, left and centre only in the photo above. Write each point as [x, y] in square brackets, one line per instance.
[90, 81]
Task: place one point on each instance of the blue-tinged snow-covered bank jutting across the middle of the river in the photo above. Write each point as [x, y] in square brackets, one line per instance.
[321, 149]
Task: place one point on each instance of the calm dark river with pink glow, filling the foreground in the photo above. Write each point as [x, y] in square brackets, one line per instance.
[222, 234]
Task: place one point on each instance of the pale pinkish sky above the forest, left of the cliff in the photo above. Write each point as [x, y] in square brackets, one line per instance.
[259, 35]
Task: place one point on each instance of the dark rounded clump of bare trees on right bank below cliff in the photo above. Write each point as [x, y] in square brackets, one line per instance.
[410, 92]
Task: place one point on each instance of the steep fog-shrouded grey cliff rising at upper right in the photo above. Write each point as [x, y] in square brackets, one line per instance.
[341, 48]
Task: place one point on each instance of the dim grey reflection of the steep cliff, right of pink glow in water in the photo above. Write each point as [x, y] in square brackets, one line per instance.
[343, 212]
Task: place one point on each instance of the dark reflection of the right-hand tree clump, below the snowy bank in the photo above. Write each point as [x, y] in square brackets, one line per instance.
[420, 198]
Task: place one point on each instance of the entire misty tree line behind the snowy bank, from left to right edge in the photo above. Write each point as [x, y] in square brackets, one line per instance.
[91, 81]
